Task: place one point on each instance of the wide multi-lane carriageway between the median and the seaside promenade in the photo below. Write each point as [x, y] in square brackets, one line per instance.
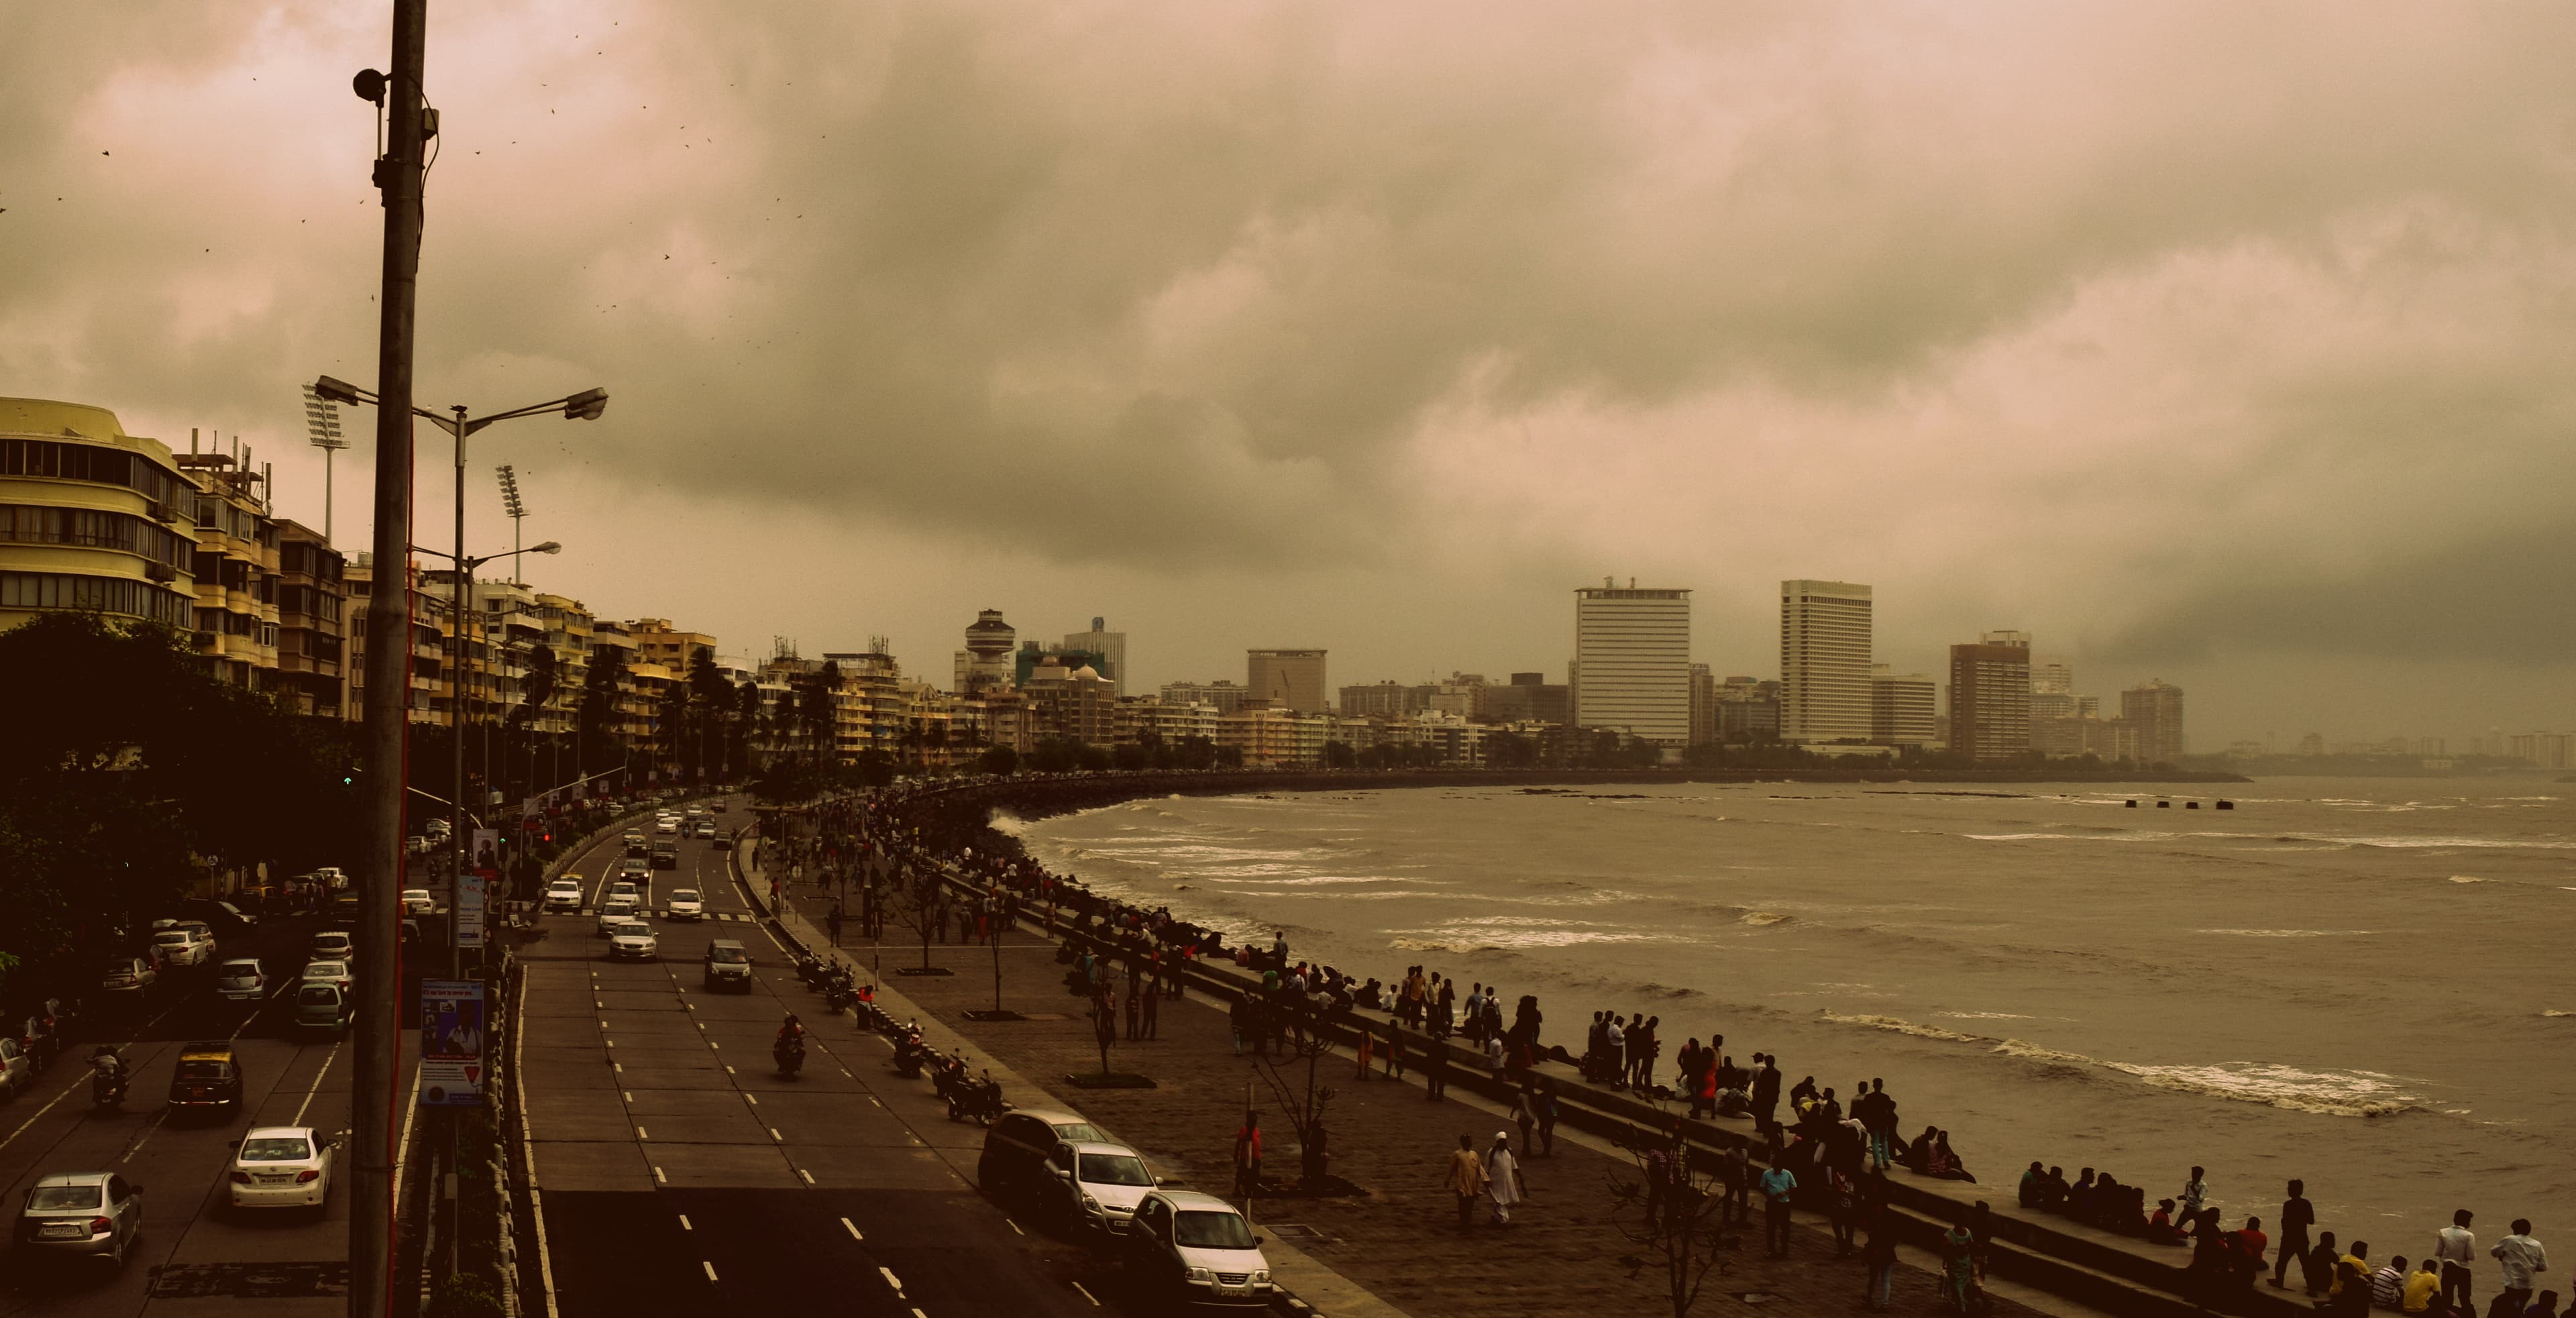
[681, 1173]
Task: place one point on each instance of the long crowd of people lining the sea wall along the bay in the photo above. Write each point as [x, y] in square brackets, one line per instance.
[1825, 1152]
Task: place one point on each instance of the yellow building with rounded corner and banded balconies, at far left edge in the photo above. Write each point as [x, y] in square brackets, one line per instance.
[91, 519]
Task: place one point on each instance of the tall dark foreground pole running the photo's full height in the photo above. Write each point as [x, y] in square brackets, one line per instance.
[388, 676]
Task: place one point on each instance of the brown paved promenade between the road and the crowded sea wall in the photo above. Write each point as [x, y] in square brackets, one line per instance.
[1403, 1237]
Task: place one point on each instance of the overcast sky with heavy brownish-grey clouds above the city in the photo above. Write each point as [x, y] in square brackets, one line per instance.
[2224, 344]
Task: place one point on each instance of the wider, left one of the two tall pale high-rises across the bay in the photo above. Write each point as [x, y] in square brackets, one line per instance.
[1632, 660]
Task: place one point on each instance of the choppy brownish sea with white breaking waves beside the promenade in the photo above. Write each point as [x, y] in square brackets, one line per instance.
[2361, 982]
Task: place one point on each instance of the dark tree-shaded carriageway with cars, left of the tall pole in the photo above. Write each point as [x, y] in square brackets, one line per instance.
[194, 1255]
